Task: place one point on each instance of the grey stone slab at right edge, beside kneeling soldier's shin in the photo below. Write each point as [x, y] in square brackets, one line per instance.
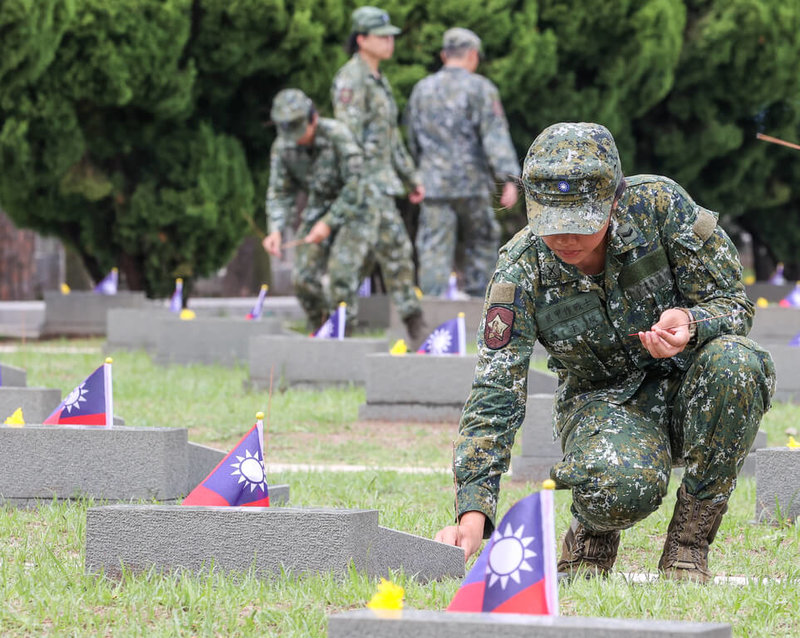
[777, 484]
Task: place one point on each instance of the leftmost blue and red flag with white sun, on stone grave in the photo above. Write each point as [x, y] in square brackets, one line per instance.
[91, 403]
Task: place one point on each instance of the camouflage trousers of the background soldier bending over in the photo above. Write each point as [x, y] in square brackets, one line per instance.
[310, 264]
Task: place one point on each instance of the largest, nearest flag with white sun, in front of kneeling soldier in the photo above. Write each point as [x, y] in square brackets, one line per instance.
[516, 572]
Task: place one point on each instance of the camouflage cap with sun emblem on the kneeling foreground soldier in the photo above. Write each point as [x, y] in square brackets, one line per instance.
[570, 176]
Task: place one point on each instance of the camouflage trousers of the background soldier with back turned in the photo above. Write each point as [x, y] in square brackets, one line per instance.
[441, 223]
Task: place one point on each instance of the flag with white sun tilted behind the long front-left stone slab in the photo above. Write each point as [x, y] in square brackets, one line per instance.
[240, 478]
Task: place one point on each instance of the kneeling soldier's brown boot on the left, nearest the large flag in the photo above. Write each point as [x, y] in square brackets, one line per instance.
[587, 553]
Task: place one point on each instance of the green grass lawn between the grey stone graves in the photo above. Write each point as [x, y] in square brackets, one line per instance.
[44, 591]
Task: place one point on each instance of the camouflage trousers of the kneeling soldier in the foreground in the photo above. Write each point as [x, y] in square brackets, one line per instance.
[618, 457]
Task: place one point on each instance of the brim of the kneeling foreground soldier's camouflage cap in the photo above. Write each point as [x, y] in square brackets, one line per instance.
[578, 218]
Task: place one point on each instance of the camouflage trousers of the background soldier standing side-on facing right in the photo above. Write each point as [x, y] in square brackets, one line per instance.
[378, 234]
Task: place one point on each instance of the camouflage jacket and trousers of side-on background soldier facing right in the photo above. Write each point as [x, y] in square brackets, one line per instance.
[365, 103]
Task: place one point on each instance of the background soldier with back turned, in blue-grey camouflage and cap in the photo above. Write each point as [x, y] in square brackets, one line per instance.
[458, 134]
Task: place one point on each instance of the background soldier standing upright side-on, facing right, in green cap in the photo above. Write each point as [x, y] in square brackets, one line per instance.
[362, 99]
